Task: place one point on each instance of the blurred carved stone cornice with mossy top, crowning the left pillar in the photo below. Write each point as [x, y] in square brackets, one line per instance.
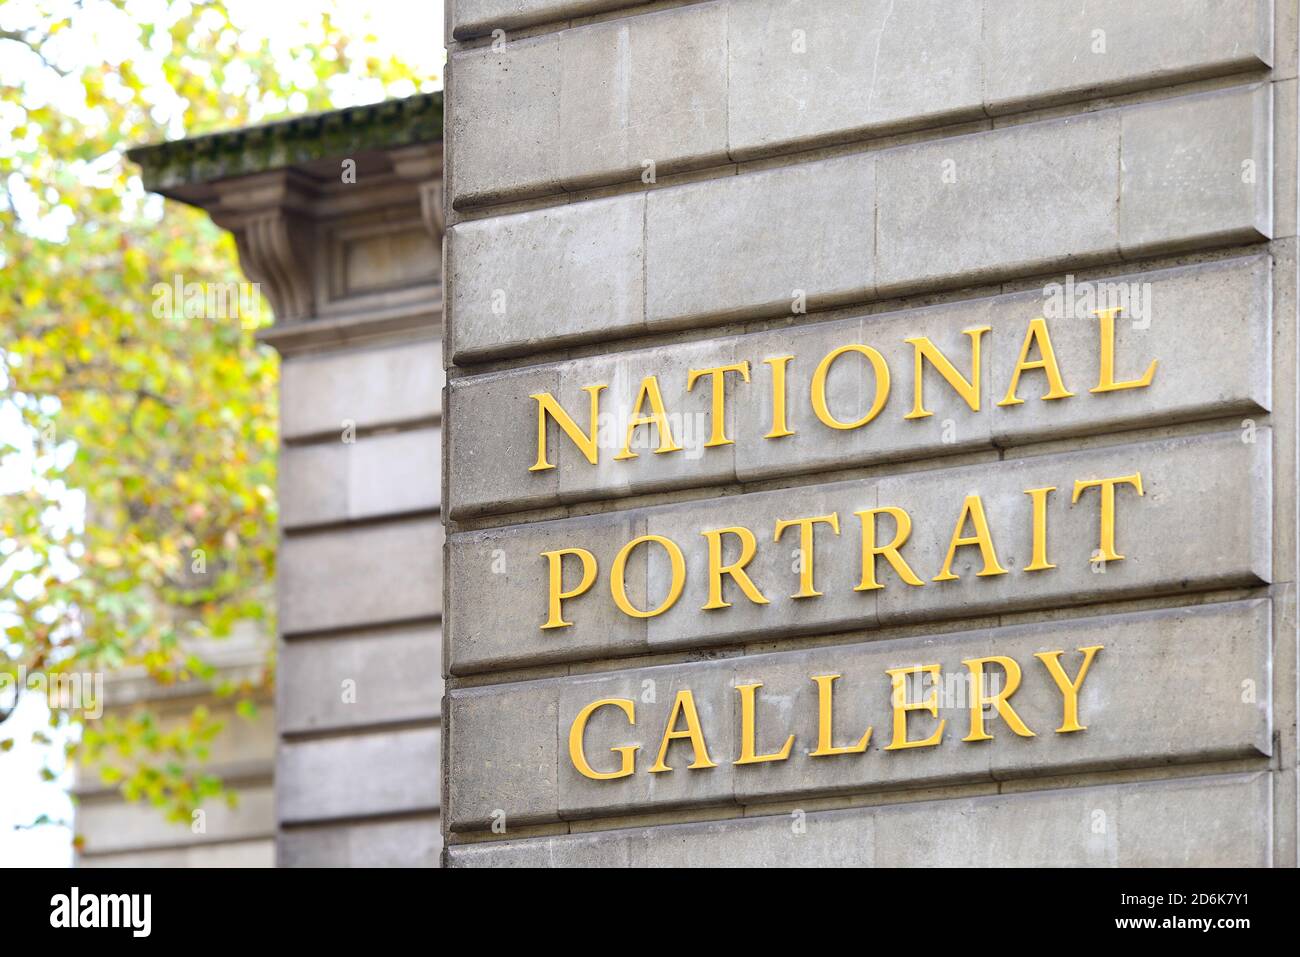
[310, 213]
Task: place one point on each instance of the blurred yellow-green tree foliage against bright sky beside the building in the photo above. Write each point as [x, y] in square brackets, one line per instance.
[162, 426]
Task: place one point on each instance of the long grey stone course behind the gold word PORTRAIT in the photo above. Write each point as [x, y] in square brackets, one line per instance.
[1194, 529]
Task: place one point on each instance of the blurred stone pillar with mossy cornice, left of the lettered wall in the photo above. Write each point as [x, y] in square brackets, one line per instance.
[339, 219]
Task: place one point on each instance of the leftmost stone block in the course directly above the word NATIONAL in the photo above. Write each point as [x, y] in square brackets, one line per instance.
[553, 275]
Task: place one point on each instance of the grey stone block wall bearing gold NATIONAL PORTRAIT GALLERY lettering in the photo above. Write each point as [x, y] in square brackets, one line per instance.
[872, 432]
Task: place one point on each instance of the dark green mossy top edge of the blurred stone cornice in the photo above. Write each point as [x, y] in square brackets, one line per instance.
[291, 142]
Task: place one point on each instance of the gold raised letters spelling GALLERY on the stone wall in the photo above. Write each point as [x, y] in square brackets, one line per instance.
[684, 722]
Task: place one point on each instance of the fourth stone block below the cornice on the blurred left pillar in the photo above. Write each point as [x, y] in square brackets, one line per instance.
[359, 679]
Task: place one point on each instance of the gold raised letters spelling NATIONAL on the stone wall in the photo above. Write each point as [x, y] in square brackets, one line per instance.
[649, 410]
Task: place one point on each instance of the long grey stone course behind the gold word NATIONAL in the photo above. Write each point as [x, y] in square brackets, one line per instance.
[1182, 326]
